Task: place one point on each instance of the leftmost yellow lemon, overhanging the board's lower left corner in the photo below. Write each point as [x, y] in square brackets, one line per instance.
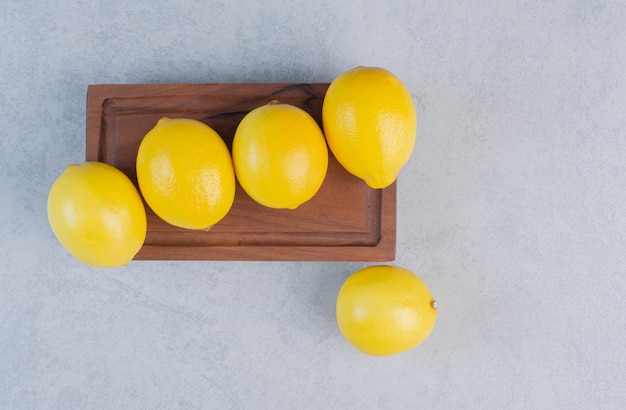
[97, 214]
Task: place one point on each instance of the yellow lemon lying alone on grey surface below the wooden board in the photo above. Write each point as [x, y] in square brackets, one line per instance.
[384, 310]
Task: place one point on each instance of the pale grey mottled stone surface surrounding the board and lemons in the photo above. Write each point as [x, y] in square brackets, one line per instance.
[512, 209]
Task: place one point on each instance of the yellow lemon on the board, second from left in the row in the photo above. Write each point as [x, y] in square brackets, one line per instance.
[185, 173]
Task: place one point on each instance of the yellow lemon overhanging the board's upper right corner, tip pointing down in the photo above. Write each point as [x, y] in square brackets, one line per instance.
[370, 124]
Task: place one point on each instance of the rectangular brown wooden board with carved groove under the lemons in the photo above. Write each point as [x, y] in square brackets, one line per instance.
[345, 220]
